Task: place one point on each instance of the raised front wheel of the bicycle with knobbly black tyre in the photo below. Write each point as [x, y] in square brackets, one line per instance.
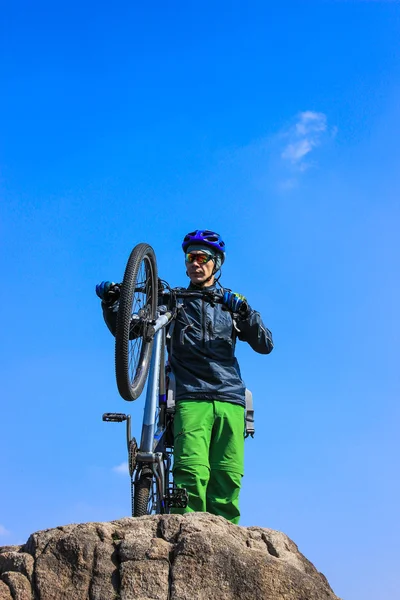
[132, 355]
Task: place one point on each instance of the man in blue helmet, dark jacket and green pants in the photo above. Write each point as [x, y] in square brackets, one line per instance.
[210, 394]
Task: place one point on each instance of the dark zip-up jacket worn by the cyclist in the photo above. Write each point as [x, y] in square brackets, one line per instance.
[201, 345]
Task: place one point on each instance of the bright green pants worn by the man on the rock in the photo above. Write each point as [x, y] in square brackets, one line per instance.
[209, 455]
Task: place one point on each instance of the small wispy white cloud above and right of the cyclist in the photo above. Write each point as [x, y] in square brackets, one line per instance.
[303, 137]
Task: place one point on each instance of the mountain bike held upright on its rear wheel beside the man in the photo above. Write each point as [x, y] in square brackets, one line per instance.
[140, 341]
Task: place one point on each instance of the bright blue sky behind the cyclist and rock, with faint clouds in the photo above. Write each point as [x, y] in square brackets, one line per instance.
[276, 125]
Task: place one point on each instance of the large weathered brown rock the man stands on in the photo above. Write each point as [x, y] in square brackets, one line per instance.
[196, 556]
